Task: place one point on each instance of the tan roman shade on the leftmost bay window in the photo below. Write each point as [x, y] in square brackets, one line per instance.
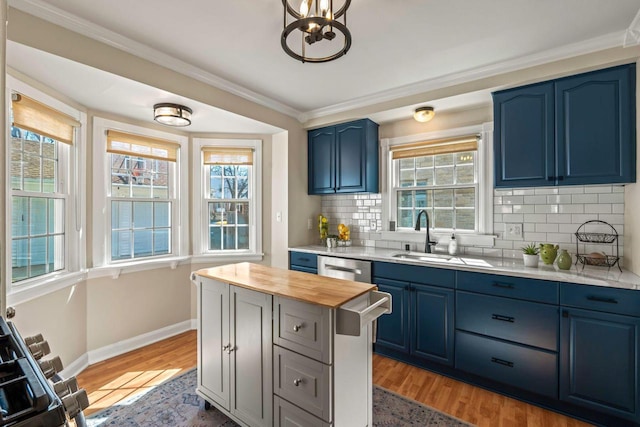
[36, 117]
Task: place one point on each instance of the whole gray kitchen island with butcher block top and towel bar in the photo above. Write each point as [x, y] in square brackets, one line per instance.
[285, 348]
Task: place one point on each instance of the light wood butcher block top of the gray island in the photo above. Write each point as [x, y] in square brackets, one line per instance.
[306, 287]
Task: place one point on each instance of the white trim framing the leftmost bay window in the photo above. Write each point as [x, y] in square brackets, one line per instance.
[75, 220]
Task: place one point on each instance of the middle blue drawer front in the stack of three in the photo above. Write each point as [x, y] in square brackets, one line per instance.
[514, 320]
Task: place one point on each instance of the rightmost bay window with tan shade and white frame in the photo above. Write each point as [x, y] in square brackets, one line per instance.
[229, 208]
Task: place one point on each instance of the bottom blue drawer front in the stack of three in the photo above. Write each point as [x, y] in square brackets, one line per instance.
[516, 365]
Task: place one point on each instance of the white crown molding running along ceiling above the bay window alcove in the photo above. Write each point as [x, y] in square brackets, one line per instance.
[79, 25]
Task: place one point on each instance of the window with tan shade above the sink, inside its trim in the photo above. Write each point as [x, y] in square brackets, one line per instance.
[440, 177]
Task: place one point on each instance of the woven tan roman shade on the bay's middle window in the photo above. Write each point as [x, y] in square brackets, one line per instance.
[141, 146]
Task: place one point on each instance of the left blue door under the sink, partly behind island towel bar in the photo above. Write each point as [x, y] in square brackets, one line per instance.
[393, 329]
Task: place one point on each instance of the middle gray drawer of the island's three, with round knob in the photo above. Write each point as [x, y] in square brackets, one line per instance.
[302, 381]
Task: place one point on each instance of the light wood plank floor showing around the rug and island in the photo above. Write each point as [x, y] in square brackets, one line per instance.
[115, 379]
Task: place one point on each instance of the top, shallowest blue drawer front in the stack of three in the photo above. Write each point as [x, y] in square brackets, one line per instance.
[508, 286]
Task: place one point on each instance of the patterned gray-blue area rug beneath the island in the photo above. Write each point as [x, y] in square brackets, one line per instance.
[175, 403]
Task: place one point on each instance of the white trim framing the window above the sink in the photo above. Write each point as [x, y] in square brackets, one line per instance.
[484, 236]
